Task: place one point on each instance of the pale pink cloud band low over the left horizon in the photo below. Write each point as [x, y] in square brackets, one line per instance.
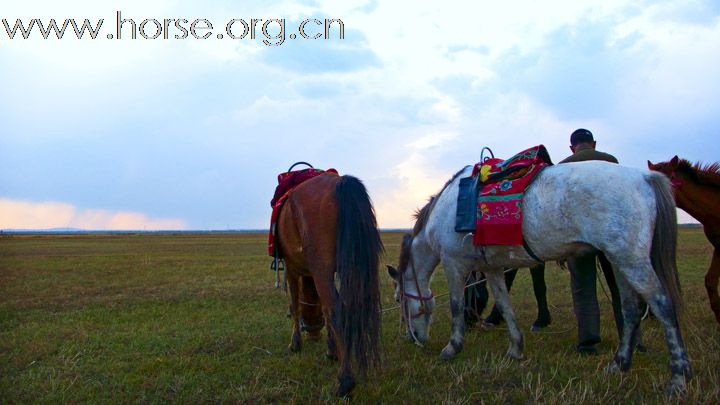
[20, 214]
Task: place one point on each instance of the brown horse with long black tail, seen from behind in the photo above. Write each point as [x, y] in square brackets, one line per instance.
[328, 226]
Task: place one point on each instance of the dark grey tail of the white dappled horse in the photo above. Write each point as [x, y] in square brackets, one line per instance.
[664, 243]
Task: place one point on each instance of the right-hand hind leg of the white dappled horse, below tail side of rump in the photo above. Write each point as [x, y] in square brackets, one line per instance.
[642, 278]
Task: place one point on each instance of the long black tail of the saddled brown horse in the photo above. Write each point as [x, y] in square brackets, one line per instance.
[357, 256]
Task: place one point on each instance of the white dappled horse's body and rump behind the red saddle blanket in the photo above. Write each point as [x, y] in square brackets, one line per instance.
[599, 204]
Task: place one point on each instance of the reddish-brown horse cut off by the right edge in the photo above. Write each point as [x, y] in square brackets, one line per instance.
[697, 191]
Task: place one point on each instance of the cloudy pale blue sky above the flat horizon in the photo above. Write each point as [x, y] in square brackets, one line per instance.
[161, 134]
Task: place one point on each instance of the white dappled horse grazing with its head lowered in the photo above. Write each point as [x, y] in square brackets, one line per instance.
[569, 209]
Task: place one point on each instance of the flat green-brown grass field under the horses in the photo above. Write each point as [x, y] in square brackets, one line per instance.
[194, 318]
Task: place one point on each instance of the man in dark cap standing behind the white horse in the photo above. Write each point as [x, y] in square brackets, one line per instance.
[583, 272]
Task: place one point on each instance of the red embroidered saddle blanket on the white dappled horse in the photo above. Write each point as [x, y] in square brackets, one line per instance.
[499, 204]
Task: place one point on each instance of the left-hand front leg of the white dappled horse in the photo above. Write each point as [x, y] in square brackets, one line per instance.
[456, 286]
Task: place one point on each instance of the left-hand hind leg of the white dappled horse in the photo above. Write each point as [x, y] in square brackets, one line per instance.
[631, 325]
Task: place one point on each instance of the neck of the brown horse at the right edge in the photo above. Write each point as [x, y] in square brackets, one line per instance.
[699, 200]
